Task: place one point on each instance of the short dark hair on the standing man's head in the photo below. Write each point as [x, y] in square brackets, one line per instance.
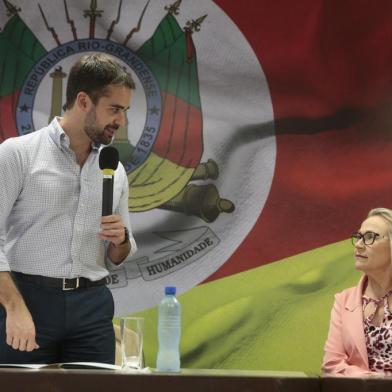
[93, 74]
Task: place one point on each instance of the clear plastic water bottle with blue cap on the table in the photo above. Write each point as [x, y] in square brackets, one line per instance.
[169, 332]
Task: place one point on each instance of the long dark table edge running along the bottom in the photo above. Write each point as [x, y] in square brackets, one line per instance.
[189, 380]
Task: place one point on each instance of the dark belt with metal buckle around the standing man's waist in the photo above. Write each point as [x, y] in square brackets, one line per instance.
[59, 283]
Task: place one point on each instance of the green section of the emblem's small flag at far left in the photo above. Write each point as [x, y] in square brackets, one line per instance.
[19, 51]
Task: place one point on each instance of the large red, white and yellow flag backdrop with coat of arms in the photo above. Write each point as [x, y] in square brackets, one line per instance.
[298, 95]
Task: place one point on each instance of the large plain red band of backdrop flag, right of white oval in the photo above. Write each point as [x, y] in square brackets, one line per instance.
[328, 67]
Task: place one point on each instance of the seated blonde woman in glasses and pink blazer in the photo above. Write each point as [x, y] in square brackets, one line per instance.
[359, 341]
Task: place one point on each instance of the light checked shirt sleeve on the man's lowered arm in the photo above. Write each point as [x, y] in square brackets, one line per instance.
[11, 174]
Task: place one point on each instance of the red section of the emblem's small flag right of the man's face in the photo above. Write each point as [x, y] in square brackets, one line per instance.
[180, 138]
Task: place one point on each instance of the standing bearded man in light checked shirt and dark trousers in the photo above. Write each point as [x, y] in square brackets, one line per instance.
[55, 306]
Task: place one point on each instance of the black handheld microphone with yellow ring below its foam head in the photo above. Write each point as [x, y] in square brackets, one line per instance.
[108, 162]
